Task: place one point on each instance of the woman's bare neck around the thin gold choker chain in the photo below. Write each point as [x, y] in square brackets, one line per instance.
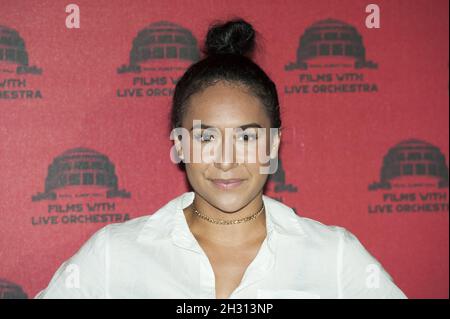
[227, 235]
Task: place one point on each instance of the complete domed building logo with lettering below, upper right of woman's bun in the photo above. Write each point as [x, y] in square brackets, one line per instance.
[334, 55]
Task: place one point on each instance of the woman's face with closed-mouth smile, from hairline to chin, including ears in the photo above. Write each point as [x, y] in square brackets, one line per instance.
[225, 108]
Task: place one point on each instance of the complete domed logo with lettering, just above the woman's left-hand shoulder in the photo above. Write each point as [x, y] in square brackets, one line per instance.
[81, 187]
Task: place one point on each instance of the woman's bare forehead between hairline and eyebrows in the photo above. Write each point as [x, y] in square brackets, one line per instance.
[225, 105]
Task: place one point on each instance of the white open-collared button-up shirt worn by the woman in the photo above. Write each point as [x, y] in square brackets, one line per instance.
[157, 256]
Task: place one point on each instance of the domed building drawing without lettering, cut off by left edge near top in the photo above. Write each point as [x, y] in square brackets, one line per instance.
[13, 54]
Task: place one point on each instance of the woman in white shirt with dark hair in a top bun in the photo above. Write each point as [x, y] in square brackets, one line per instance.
[224, 239]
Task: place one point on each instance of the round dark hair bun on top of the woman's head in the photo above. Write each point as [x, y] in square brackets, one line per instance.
[233, 37]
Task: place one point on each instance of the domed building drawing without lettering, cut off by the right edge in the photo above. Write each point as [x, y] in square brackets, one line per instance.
[413, 163]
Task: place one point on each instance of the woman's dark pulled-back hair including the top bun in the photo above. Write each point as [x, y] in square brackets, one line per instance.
[227, 49]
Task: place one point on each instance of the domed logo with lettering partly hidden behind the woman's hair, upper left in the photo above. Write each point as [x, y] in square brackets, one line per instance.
[160, 53]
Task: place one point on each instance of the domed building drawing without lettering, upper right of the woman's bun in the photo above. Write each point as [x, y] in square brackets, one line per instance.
[333, 41]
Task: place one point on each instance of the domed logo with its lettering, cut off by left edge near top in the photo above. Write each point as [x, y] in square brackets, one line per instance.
[15, 67]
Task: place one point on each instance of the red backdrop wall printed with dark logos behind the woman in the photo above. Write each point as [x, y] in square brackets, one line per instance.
[84, 137]
